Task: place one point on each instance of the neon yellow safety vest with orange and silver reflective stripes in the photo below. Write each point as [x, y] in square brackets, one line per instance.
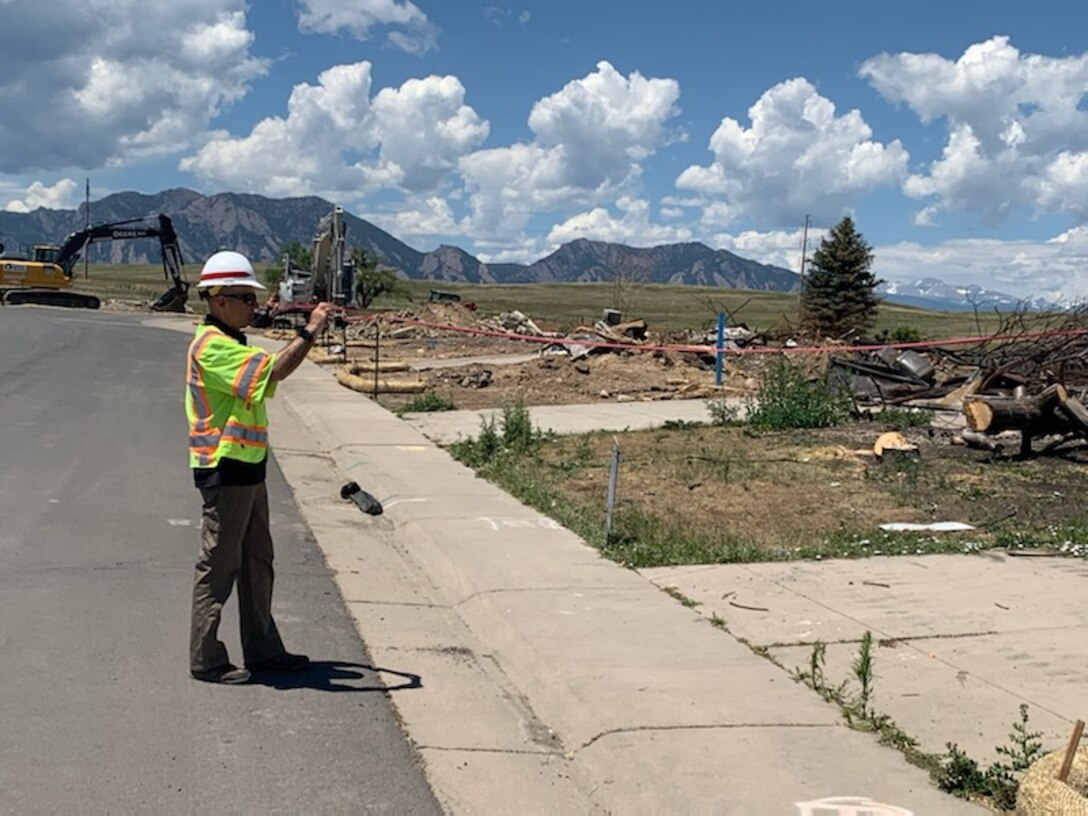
[227, 386]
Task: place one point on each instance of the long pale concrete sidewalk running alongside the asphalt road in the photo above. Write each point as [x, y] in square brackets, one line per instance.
[554, 681]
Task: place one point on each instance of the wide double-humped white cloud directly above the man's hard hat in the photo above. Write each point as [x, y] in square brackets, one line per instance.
[410, 139]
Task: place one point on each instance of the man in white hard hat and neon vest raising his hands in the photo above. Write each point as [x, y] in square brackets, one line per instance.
[227, 385]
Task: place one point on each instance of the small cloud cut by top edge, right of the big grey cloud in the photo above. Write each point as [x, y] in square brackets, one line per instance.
[412, 30]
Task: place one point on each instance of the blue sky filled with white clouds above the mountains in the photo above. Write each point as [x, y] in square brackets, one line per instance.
[955, 133]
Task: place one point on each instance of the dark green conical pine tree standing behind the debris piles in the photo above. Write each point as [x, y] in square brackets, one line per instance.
[837, 295]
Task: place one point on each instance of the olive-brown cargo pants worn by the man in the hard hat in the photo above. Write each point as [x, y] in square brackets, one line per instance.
[237, 547]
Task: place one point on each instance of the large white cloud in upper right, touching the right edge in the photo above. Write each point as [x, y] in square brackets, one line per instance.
[1018, 129]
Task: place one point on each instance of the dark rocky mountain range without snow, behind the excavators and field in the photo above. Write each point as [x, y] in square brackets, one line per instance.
[259, 228]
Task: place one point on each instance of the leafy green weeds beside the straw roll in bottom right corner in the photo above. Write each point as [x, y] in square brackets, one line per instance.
[961, 776]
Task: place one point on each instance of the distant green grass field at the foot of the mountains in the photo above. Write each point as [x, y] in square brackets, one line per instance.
[563, 306]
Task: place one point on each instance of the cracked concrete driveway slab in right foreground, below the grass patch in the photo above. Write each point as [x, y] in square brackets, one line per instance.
[960, 641]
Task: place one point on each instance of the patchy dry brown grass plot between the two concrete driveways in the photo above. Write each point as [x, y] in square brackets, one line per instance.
[710, 494]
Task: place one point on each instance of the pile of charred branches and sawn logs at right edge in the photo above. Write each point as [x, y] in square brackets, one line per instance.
[1030, 378]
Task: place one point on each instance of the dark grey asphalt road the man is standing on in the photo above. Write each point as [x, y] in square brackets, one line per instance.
[98, 534]
